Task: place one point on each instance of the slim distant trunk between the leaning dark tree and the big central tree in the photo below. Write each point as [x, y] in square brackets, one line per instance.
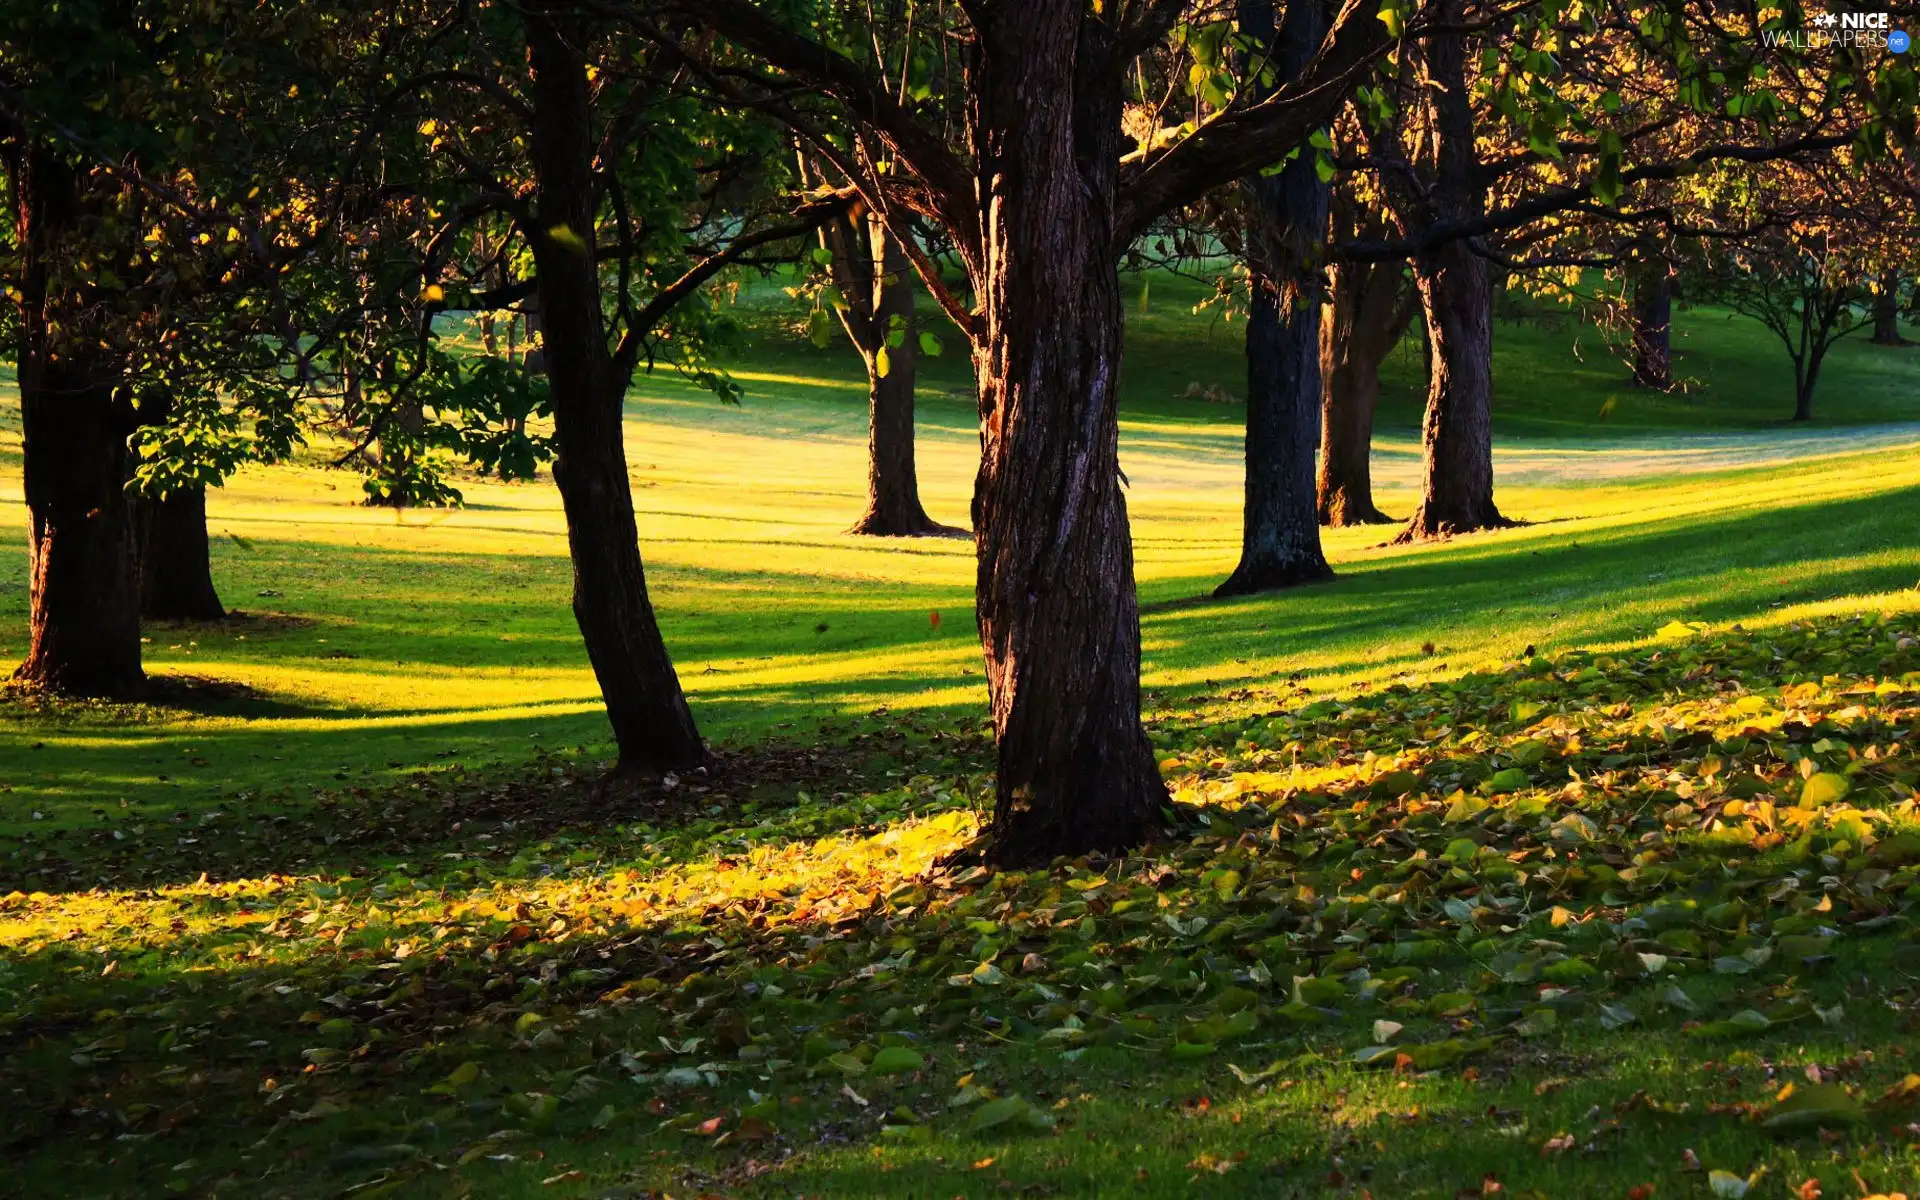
[892, 479]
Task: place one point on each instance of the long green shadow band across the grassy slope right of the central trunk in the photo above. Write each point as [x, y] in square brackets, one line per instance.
[1545, 587]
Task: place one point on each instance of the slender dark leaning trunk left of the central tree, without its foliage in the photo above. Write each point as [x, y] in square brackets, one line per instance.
[650, 715]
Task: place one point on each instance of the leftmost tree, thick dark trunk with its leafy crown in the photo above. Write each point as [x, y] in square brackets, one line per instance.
[149, 155]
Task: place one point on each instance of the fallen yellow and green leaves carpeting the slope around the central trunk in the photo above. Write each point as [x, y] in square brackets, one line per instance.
[1406, 880]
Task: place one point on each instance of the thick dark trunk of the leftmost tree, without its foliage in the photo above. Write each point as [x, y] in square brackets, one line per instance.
[84, 621]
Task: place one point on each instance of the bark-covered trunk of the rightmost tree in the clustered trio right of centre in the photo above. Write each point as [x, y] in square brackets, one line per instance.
[1458, 306]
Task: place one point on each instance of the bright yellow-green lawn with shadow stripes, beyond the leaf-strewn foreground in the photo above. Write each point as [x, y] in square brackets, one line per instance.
[400, 638]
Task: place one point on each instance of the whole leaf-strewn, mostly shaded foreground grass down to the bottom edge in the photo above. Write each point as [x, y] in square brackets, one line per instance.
[1570, 924]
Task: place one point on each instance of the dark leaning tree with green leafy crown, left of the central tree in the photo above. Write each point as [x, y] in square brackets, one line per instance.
[542, 130]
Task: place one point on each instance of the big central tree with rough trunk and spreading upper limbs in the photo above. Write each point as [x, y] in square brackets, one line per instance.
[1005, 132]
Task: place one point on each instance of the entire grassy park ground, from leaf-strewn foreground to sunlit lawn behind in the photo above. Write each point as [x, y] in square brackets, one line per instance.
[1564, 861]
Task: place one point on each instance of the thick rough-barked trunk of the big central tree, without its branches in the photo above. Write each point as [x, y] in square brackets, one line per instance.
[1055, 596]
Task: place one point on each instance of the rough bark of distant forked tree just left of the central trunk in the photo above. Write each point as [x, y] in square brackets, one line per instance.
[876, 285]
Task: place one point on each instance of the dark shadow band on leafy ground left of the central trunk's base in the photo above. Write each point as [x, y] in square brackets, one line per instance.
[489, 813]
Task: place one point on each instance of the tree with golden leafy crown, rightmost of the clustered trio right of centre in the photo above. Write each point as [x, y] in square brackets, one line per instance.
[1506, 130]
